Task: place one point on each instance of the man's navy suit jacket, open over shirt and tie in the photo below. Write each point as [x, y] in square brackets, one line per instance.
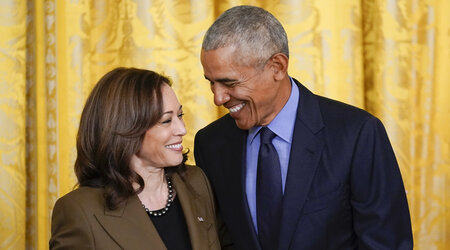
[343, 190]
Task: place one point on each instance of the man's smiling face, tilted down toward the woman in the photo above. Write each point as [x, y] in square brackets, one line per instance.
[250, 94]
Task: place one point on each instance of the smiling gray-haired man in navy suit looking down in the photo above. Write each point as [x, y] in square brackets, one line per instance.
[340, 182]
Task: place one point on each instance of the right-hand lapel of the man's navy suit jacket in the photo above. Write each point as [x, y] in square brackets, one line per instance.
[305, 154]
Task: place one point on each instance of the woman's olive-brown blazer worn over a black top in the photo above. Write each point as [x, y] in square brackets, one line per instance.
[81, 220]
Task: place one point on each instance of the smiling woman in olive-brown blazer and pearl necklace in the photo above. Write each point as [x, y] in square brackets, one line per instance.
[134, 189]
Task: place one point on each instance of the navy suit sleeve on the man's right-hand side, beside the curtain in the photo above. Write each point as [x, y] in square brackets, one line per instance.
[380, 207]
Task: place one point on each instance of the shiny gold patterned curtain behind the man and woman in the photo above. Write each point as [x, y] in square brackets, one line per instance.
[389, 57]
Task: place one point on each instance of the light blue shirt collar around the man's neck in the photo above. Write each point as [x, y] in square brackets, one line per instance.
[283, 123]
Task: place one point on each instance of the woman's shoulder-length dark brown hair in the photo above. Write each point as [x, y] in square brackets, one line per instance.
[123, 105]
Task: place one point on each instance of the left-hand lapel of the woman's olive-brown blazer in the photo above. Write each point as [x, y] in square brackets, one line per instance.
[130, 226]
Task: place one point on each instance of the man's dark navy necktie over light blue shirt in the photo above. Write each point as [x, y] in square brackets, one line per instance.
[269, 193]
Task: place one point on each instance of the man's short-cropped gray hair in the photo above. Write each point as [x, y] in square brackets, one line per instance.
[254, 32]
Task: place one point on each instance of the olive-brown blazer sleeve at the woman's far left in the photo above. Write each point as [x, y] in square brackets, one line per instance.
[70, 228]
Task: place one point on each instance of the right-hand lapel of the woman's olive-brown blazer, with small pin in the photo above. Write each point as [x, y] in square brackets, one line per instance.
[195, 214]
